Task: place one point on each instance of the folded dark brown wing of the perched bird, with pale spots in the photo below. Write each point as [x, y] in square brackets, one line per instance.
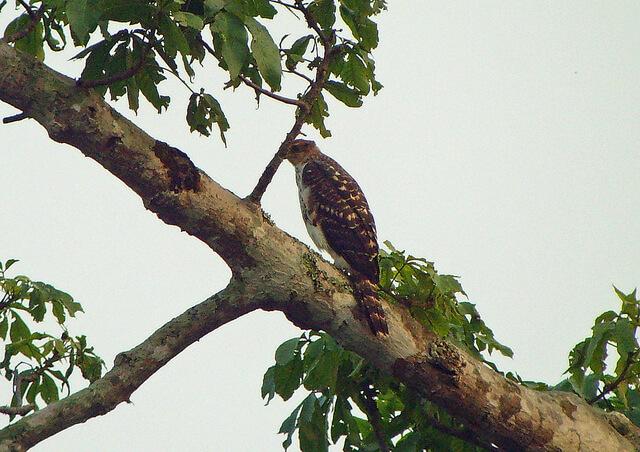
[342, 212]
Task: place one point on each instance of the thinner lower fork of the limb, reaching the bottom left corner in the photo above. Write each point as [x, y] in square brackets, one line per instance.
[131, 369]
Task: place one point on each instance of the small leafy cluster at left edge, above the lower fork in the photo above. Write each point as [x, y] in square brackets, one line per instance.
[37, 363]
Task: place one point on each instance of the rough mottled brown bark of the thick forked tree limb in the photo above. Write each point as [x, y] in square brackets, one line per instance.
[273, 271]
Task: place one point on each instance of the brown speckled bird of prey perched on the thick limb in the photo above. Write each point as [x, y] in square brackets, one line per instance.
[339, 221]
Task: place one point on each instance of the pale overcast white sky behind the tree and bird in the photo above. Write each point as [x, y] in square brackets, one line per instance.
[504, 147]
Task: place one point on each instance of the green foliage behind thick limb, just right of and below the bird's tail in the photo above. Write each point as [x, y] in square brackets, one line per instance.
[350, 400]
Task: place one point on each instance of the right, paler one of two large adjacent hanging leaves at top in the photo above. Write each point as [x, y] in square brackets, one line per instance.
[266, 53]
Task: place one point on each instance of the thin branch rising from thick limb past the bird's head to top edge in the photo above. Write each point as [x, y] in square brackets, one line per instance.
[315, 88]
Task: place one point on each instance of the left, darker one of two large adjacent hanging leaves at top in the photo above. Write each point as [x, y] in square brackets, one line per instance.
[234, 42]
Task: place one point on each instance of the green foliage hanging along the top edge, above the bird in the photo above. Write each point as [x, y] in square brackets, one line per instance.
[131, 46]
